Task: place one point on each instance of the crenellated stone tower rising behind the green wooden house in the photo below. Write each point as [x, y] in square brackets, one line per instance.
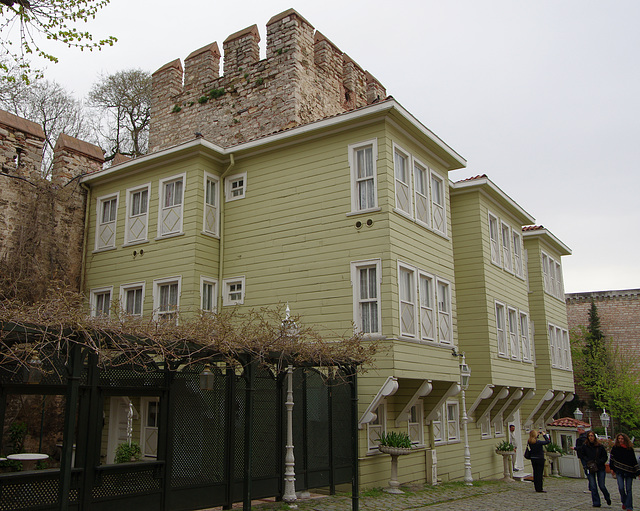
[304, 78]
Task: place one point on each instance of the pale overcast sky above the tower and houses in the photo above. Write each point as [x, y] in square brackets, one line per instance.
[543, 96]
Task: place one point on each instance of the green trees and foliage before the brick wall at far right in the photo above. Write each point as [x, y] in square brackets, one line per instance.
[611, 376]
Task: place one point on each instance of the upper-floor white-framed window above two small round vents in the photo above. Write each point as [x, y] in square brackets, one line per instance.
[362, 161]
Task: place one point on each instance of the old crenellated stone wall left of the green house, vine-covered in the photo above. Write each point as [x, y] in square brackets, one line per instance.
[41, 221]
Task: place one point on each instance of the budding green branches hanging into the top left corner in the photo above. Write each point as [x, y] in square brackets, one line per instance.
[54, 20]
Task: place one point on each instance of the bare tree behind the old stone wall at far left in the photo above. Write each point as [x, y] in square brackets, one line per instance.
[50, 105]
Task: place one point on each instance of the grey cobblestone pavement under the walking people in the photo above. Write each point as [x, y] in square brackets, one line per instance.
[562, 494]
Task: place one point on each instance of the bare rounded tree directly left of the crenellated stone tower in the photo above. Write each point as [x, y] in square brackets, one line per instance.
[123, 105]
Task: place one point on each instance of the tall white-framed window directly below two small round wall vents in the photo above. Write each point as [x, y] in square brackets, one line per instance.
[365, 279]
